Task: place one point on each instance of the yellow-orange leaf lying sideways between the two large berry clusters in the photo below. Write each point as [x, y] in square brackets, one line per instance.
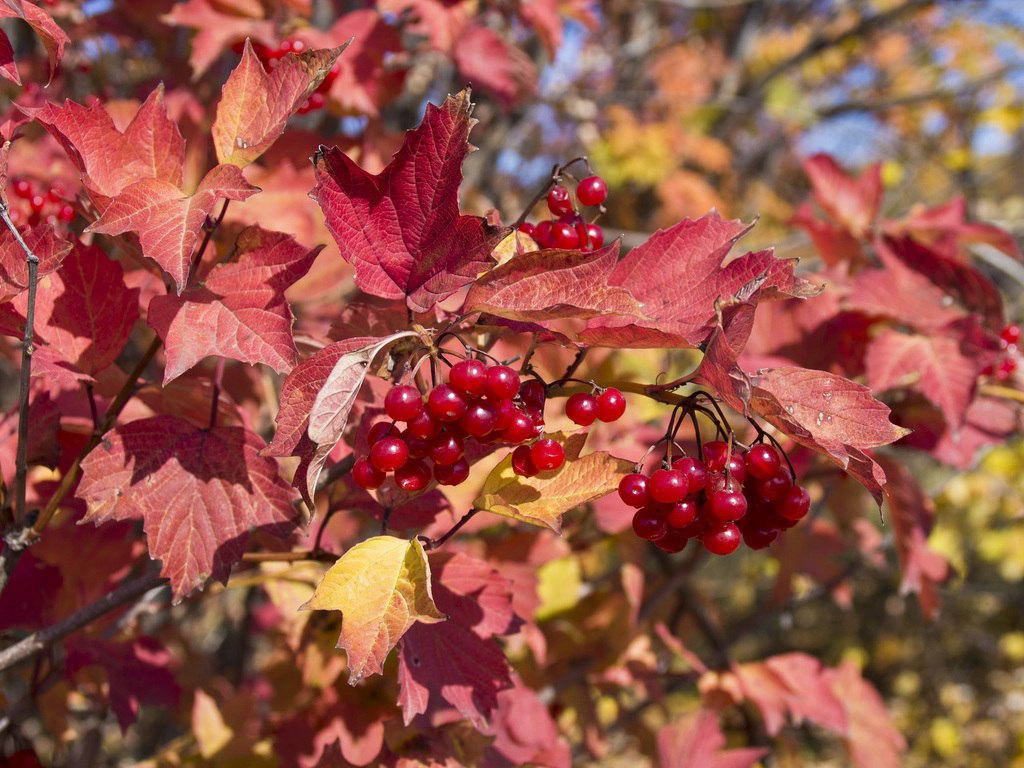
[544, 499]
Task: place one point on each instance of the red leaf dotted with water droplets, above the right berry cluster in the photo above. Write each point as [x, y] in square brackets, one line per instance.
[831, 415]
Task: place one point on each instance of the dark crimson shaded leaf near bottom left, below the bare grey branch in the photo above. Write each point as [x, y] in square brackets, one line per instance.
[139, 673]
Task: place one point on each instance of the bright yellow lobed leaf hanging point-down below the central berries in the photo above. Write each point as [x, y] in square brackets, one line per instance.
[381, 587]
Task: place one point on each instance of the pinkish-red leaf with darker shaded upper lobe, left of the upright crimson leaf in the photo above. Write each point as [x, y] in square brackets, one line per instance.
[239, 311]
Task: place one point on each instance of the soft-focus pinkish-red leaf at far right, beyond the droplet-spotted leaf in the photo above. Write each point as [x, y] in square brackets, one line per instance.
[935, 366]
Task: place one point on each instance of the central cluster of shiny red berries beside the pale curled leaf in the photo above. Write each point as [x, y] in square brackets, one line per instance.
[488, 404]
